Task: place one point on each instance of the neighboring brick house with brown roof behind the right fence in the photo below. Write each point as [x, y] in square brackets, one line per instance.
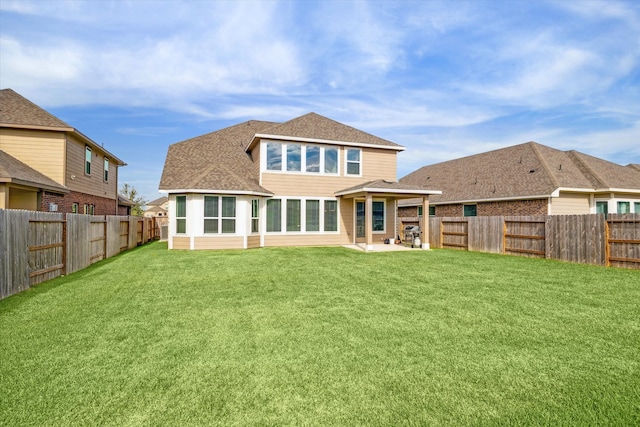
[526, 179]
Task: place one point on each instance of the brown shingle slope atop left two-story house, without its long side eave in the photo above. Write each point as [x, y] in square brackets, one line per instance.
[18, 110]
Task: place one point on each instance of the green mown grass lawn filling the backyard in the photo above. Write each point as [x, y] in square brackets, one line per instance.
[323, 336]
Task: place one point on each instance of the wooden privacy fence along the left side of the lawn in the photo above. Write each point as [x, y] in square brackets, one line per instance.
[38, 246]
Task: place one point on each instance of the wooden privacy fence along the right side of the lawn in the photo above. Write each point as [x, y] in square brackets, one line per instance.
[613, 240]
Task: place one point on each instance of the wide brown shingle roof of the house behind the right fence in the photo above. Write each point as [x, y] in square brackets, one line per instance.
[528, 170]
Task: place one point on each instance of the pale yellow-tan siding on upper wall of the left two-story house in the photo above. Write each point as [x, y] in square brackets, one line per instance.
[42, 150]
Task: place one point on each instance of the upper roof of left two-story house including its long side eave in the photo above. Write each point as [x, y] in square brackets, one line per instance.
[17, 111]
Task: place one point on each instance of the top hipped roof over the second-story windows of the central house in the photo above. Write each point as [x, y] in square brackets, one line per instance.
[313, 127]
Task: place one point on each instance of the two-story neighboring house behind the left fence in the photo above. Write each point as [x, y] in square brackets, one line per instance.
[85, 174]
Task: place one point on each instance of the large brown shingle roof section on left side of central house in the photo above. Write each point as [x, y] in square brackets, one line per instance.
[216, 161]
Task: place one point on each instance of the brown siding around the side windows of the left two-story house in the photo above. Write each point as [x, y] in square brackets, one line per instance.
[89, 184]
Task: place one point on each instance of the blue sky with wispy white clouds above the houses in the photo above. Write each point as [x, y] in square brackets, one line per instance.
[444, 79]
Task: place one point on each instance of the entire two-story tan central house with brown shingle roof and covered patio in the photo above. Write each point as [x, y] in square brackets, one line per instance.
[310, 181]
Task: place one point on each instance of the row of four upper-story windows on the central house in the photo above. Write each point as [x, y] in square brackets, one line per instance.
[293, 157]
